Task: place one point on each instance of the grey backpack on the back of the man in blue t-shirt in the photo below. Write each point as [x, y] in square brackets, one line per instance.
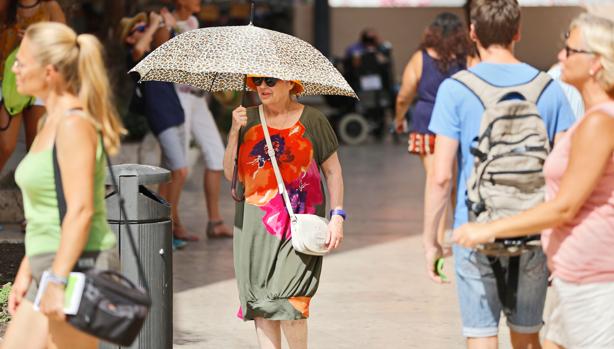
[509, 154]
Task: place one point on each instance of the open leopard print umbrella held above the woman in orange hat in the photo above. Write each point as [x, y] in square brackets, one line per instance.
[218, 58]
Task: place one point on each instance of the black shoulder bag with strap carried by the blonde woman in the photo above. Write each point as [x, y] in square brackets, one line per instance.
[112, 307]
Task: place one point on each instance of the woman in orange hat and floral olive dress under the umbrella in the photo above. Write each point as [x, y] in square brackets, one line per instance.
[275, 282]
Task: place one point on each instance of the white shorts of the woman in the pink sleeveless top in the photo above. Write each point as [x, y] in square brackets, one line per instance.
[583, 315]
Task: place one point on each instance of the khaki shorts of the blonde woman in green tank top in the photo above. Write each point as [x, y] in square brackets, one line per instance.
[105, 260]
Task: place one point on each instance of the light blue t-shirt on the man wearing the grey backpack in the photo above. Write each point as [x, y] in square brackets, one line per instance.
[458, 112]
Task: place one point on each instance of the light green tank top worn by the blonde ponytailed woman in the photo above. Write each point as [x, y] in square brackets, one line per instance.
[36, 179]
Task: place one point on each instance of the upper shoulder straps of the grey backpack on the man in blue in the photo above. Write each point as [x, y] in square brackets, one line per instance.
[489, 94]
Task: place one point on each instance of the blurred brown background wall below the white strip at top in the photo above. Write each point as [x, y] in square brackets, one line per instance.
[542, 29]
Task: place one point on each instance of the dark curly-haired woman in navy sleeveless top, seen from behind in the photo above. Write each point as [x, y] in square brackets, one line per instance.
[442, 53]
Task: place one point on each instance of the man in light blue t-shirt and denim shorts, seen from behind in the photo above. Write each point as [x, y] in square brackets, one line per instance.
[456, 120]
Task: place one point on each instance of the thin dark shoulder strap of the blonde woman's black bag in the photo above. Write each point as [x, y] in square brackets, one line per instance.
[59, 190]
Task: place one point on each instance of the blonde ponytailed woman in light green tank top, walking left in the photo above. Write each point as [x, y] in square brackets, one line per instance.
[67, 72]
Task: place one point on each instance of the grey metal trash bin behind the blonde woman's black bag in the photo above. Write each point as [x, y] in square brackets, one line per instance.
[149, 217]
